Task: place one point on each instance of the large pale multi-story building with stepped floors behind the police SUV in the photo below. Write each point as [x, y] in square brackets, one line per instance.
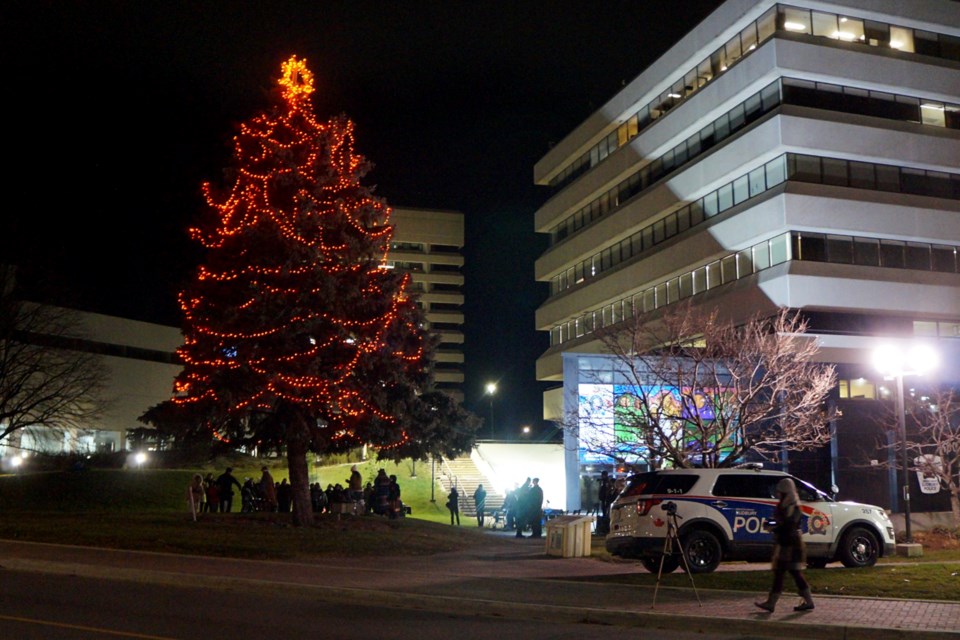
[803, 155]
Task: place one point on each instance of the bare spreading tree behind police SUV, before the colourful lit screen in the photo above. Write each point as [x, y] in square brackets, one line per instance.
[692, 390]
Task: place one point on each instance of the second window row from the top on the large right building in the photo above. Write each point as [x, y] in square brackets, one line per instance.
[784, 91]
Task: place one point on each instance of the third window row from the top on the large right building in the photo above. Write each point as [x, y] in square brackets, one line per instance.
[801, 168]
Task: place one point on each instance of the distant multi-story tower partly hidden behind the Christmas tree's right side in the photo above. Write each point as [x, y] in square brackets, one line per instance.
[429, 244]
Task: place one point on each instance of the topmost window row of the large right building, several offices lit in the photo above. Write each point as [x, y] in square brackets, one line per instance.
[782, 19]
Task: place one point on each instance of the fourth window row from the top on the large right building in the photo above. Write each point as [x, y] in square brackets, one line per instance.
[746, 262]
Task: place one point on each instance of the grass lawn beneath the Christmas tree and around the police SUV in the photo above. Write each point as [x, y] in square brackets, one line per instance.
[146, 510]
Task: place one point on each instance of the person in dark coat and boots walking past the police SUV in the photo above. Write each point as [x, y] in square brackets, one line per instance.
[789, 554]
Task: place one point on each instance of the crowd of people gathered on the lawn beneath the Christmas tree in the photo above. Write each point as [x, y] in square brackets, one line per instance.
[209, 494]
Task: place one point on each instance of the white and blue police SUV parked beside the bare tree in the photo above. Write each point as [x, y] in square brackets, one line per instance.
[720, 514]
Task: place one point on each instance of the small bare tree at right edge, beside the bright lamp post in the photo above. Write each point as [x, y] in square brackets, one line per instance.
[933, 441]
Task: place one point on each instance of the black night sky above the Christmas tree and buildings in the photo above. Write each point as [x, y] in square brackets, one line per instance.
[117, 112]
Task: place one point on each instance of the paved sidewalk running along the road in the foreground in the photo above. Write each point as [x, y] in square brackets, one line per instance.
[516, 578]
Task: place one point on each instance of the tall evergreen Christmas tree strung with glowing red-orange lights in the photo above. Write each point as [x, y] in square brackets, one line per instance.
[297, 335]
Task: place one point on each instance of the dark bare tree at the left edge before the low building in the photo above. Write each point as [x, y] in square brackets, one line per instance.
[47, 381]
